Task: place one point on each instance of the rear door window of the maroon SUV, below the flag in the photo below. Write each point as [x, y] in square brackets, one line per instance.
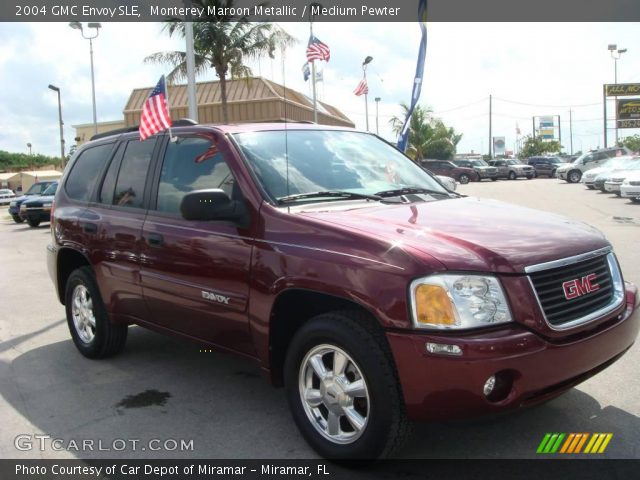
[133, 174]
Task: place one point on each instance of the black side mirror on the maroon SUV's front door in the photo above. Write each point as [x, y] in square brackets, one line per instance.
[213, 204]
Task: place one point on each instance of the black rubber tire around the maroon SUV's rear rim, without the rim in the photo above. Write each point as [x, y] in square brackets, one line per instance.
[108, 338]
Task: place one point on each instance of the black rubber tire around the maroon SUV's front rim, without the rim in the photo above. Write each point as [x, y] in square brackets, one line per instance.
[386, 425]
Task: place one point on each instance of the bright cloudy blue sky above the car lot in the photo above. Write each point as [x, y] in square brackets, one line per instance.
[529, 68]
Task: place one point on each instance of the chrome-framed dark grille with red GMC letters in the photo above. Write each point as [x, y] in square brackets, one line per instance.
[563, 290]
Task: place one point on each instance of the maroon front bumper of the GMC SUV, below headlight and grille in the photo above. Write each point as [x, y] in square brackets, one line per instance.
[436, 386]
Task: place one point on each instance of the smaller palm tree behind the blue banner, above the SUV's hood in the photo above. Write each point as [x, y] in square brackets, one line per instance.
[428, 137]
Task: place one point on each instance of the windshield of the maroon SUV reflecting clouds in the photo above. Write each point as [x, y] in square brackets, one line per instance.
[329, 160]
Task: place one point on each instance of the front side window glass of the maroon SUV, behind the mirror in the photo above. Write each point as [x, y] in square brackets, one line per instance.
[191, 163]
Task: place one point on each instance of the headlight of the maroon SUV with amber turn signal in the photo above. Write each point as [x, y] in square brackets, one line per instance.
[458, 302]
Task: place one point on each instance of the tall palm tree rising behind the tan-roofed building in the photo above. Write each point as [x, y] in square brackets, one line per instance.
[223, 43]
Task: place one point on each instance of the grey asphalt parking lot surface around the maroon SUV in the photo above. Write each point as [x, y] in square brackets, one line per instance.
[167, 390]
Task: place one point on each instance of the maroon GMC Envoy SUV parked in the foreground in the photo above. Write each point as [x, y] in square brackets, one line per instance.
[374, 295]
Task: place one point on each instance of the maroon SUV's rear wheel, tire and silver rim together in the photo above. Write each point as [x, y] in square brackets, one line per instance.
[91, 330]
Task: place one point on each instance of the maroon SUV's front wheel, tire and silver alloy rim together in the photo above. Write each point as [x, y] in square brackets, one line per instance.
[342, 388]
